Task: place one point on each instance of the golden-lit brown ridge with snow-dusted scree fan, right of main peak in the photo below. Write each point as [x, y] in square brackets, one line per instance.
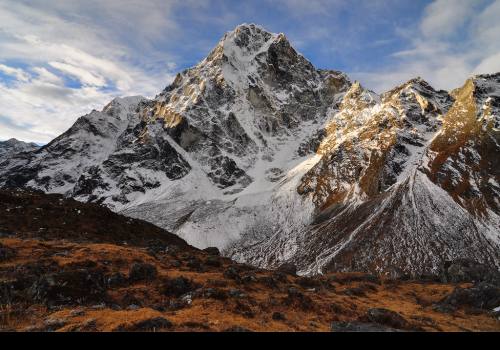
[382, 203]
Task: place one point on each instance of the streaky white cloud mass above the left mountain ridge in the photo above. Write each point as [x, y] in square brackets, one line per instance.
[66, 58]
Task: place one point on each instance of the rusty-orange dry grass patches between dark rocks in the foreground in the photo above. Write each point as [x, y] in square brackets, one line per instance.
[412, 300]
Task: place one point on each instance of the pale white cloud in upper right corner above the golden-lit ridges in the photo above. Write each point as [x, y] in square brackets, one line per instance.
[454, 40]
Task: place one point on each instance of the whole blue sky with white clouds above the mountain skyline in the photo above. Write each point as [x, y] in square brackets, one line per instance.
[61, 59]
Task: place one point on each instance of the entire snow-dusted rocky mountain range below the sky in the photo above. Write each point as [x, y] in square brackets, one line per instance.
[256, 152]
